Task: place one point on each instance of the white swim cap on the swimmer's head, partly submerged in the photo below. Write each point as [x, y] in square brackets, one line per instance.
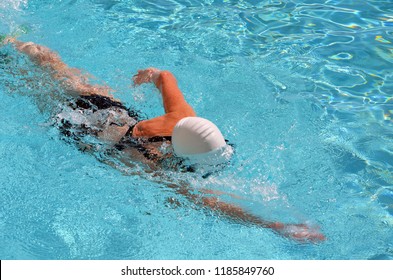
[200, 141]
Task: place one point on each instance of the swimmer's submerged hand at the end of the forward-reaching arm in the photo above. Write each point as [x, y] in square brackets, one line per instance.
[299, 232]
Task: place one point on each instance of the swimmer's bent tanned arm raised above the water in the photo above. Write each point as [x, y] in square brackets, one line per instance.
[175, 105]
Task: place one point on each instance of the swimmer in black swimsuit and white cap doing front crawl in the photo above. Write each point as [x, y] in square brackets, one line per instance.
[194, 140]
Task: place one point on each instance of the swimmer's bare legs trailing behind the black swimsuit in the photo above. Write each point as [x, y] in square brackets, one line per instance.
[71, 79]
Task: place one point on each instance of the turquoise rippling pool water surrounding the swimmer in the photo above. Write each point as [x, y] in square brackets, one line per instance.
[303, 89]
